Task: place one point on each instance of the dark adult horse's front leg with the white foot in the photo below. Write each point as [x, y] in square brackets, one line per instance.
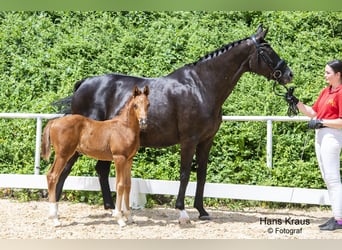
[187, 153]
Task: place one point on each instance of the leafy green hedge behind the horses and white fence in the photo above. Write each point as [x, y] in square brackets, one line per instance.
[44, 53]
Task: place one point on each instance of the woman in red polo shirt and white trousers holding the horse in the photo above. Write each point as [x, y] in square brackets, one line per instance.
[327, 120]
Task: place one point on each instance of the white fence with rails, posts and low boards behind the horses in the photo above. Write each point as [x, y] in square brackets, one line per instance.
[140, 187]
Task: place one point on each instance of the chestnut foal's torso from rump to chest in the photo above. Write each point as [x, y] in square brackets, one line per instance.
[97, 139]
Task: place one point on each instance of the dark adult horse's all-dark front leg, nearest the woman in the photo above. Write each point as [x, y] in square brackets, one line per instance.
[202, 156]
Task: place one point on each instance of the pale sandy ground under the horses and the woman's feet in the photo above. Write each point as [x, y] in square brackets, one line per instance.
[28, 220]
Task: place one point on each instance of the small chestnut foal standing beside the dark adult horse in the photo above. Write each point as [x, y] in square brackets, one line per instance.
[117, 139]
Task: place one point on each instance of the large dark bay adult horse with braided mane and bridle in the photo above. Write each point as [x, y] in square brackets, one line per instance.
[185, 106]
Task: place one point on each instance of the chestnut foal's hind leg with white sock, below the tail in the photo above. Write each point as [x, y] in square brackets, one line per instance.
[52, 179]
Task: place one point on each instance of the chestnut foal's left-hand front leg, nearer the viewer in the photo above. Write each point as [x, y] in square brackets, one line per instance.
[119, 169]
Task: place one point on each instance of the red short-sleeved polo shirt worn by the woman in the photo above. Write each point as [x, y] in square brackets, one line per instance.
[329, 103]
